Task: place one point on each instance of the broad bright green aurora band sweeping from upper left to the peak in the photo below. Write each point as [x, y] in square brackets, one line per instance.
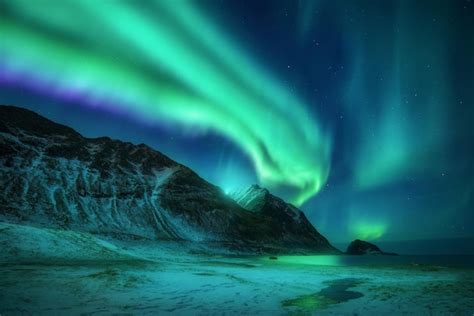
[173, 66]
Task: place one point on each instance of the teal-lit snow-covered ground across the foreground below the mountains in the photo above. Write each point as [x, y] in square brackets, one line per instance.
[44, 271]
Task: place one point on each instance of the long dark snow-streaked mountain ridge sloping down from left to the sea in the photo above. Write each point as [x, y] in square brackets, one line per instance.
[51, 176]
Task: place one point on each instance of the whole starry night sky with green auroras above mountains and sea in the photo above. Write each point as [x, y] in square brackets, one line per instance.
[359, 112]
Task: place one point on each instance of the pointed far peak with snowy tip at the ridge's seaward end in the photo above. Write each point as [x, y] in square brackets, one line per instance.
[284, 220]
